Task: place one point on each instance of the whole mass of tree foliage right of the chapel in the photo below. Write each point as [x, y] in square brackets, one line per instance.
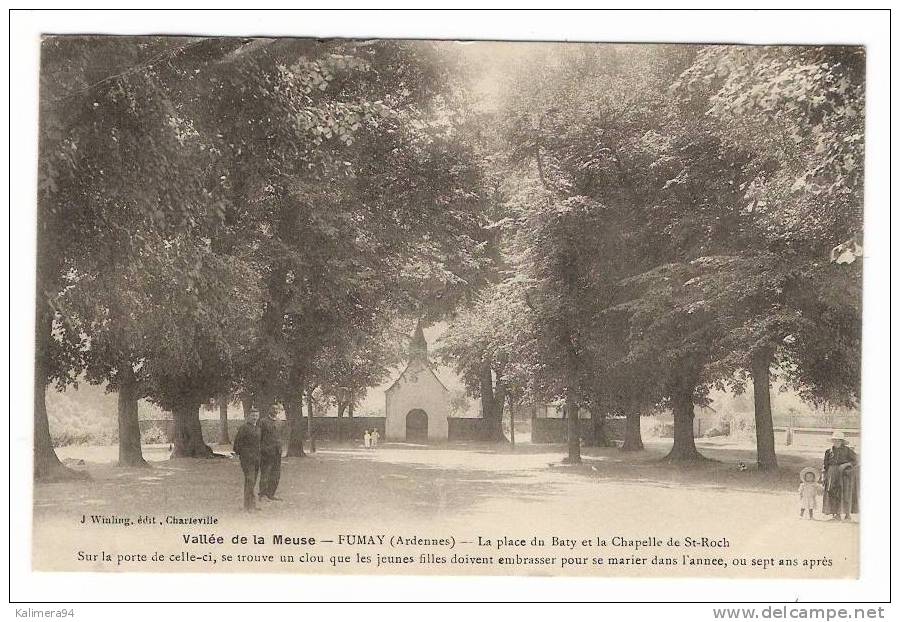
[682, 217]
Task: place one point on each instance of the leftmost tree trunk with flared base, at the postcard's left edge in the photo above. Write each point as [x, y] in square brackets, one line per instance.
[47, 467]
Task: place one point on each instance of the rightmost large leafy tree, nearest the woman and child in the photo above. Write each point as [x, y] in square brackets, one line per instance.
[799, 112]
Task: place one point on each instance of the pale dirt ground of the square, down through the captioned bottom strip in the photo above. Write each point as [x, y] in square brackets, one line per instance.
[463, 493]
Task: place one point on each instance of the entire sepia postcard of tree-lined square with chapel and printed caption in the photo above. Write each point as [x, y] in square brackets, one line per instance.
[393, 306]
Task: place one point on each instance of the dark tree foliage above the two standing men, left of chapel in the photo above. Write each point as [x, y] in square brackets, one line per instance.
[370, 199]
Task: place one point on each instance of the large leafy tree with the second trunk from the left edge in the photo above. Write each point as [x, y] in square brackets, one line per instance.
[129, 184]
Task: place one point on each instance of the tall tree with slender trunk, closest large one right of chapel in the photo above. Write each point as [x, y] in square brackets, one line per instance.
[604, 145]
